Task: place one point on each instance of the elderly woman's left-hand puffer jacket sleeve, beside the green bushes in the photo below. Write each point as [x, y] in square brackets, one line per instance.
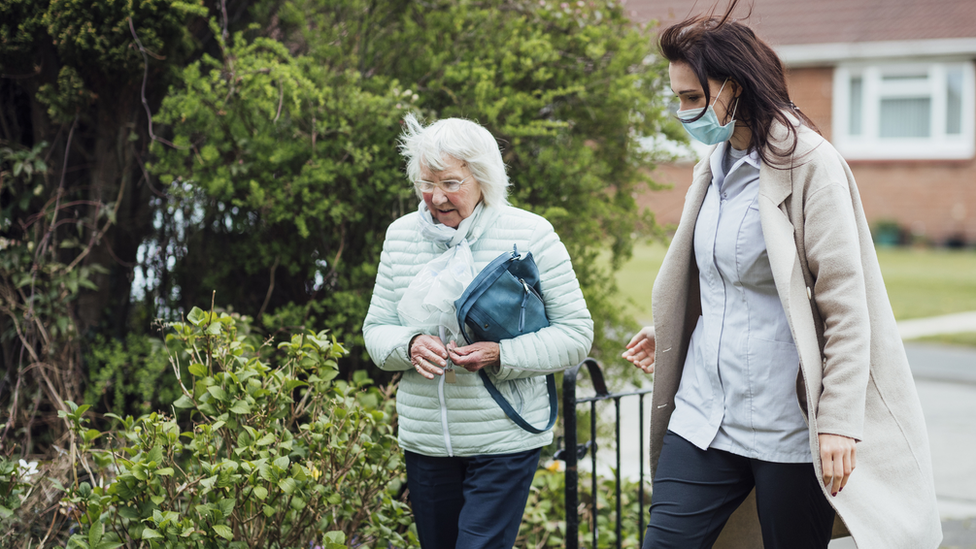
[387, 341]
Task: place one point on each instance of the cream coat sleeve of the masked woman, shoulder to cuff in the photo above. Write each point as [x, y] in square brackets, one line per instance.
[834, 255]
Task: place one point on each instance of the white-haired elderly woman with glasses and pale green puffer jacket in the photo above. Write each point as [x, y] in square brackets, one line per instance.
[469, 467]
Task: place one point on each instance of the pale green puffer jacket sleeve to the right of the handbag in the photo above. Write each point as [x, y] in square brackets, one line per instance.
[567, 340]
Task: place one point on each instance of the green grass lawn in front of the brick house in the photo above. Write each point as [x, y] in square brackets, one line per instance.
[920, 282]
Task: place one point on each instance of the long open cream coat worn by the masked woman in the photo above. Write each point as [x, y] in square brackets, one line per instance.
[854, 376]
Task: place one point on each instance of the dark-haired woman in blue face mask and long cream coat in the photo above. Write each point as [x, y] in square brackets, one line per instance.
[779, 371]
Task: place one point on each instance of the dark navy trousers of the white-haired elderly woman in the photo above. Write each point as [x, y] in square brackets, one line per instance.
[470, 502]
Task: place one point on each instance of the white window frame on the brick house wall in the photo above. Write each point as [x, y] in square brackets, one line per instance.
[938, 145]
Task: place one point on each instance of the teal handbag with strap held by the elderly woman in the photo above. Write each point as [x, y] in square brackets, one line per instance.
[505, 301]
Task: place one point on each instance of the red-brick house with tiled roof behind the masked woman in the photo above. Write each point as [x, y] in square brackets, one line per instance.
[889, 82]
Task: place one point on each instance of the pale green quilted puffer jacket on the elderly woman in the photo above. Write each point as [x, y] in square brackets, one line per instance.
[475, 425]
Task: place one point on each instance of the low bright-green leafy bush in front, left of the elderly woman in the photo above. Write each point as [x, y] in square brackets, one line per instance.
[276, 454]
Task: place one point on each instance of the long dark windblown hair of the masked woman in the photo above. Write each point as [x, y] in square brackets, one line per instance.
[720, 48]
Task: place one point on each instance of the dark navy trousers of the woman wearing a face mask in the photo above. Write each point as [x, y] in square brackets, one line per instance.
[695, 491]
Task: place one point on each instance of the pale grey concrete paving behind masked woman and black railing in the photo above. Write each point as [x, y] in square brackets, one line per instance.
[946, 380]
